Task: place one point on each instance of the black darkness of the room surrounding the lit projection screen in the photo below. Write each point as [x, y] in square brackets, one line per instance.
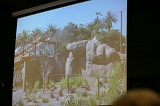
[143, 26]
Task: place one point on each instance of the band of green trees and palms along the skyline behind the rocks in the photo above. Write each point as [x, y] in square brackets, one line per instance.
[100, 26]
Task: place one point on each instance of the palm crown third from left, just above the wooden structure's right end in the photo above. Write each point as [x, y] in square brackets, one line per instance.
[51, 30]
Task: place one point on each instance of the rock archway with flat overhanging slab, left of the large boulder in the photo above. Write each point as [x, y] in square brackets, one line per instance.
[76, 59]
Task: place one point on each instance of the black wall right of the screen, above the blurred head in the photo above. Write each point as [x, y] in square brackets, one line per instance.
[143, 44]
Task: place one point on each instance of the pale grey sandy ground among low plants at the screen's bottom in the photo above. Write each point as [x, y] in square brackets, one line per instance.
[55, 101]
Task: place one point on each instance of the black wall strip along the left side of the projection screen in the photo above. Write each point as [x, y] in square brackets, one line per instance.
[7, 36]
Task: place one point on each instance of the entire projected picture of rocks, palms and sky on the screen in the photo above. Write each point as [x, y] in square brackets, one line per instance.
[72, 56]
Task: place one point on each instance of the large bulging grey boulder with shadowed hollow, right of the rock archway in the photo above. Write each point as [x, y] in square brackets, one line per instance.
[100, 57]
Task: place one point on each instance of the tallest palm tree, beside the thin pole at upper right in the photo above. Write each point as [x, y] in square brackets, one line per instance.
[110, 18]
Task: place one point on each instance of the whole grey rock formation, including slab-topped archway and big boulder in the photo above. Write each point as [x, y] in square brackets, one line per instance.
[96, 56]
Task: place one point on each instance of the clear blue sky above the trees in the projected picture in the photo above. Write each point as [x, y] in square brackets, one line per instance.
[81, 13]
